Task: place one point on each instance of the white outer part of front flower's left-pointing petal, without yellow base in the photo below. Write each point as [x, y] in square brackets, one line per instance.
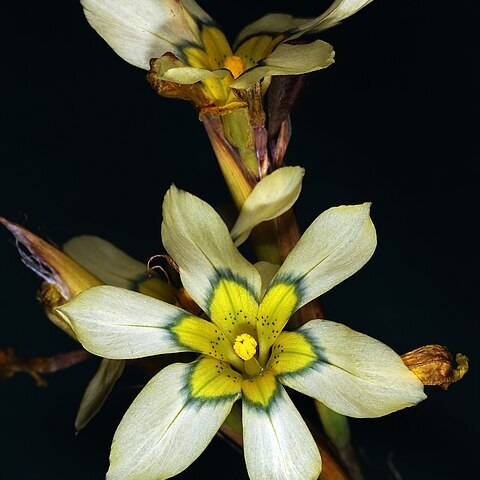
[115, 323]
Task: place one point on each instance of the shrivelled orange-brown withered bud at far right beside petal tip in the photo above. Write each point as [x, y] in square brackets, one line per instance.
[434, 365]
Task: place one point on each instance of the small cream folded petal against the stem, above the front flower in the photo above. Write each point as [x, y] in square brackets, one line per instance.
[271, 197]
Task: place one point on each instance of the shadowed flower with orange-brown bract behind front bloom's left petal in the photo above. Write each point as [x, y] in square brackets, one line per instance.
[85, 261]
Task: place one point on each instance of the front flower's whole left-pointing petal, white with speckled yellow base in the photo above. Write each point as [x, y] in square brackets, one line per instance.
[116, 323]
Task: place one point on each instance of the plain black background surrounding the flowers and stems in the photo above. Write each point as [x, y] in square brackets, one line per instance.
[87, 147]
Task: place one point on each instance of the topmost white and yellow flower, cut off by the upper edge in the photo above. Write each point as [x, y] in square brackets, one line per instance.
[188, 47]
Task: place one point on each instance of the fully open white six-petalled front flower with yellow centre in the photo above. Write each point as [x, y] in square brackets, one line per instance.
[245, 352]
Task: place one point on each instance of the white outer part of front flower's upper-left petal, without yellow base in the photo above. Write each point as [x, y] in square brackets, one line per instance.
[198, 240]
